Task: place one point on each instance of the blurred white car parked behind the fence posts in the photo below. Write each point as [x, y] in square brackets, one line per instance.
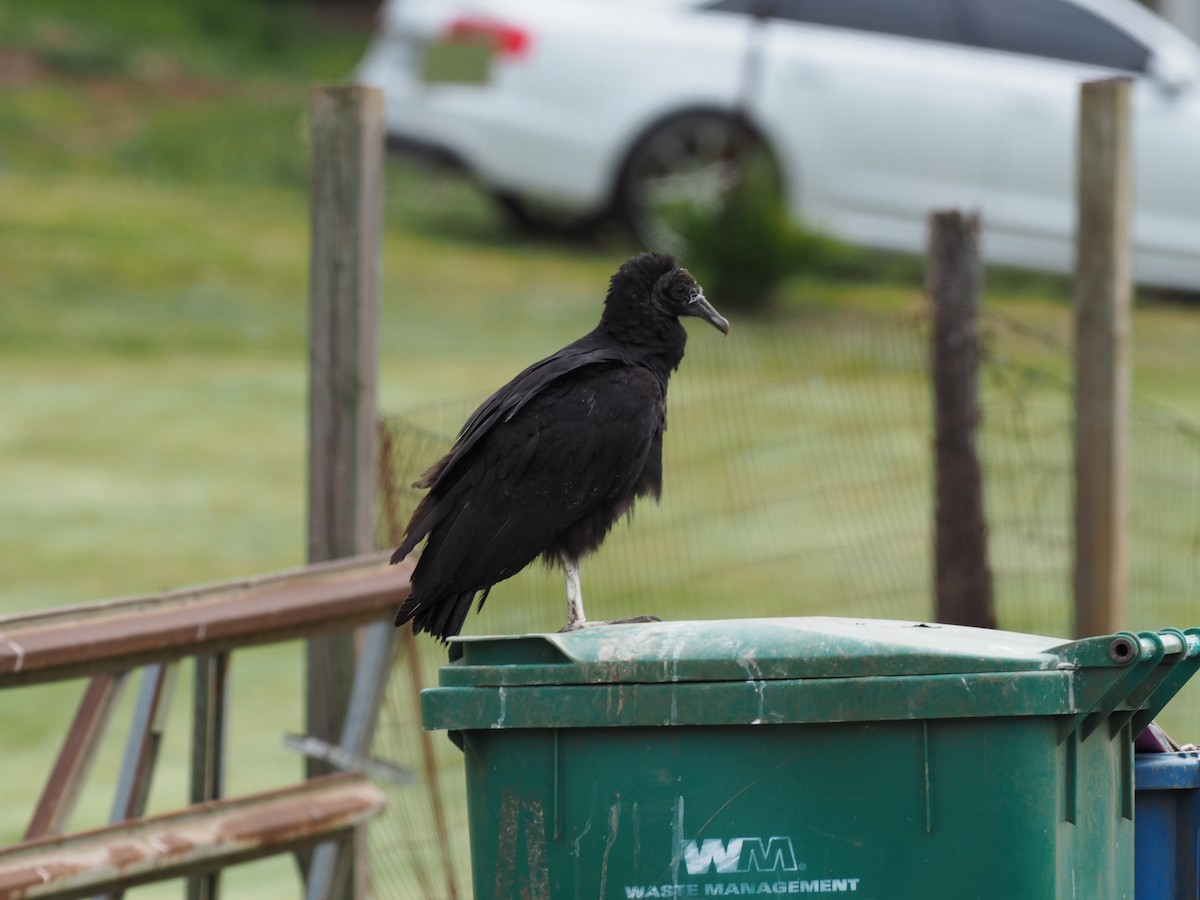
[874, 112]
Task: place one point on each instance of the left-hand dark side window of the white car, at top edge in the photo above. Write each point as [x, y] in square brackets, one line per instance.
[931, 20]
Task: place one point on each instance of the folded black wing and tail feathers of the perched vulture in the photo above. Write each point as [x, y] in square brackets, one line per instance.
[538, 471]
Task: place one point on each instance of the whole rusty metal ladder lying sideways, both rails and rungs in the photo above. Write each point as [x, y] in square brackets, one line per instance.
[111, 639]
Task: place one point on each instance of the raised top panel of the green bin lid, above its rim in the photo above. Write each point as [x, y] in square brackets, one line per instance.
[737, 650]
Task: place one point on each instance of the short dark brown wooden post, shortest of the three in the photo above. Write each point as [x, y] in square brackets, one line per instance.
[962, 575]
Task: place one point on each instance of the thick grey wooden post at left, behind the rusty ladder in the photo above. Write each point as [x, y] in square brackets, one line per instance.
[347, 225]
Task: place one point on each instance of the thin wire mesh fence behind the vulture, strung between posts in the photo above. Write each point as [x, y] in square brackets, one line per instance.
[799, 481]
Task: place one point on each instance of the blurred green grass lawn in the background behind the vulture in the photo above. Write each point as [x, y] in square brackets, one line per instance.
[153, 326]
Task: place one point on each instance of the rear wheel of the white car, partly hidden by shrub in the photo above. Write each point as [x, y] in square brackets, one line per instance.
[685, 165]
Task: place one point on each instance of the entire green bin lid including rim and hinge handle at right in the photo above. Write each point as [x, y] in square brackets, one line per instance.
[803, 670]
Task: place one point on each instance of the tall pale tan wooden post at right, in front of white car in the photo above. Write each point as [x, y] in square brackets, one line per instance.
[1102, 301]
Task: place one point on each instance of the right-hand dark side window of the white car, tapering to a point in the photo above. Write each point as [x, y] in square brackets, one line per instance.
[1054, 29]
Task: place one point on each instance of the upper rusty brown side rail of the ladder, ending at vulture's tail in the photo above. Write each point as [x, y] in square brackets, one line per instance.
[119, 635]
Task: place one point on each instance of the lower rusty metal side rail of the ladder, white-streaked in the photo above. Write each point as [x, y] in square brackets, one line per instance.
[197, 839]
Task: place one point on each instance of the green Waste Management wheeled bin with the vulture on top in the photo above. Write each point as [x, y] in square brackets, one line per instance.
[806, 757]
